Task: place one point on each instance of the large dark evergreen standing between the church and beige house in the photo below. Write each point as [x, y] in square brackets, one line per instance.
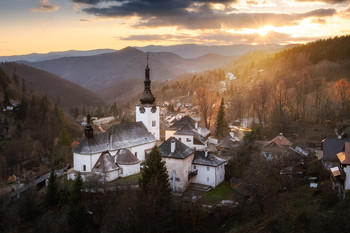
[154, 177]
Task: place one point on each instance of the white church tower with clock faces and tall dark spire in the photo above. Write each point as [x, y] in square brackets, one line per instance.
[147, 111]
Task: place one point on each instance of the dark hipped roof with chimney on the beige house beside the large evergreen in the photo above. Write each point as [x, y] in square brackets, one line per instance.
[181, 150]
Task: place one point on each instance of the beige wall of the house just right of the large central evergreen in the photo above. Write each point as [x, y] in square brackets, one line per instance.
[181, 168]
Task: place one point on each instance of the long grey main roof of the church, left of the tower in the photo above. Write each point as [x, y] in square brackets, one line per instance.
[116, 137]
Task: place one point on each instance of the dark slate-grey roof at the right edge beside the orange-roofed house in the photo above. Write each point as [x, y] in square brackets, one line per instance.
[331, 147]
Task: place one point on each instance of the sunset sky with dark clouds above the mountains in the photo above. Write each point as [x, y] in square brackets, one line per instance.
[42, 26]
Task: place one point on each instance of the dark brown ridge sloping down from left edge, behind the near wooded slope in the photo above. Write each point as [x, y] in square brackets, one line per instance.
[59, 90]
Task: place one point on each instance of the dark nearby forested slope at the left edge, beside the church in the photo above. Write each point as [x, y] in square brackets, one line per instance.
[35, 134]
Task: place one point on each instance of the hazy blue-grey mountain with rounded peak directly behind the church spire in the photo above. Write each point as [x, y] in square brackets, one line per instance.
[104, 70]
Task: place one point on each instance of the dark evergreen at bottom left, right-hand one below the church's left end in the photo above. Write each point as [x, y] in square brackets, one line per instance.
[76, 215]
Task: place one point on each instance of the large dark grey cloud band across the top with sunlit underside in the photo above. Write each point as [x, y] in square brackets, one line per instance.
[193, 14]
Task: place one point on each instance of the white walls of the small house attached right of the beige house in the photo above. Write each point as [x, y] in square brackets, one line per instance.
[209, 175]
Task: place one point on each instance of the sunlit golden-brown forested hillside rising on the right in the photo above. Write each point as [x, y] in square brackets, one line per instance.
[306, 83]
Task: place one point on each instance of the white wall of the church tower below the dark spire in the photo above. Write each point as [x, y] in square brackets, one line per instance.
[147, 117]
